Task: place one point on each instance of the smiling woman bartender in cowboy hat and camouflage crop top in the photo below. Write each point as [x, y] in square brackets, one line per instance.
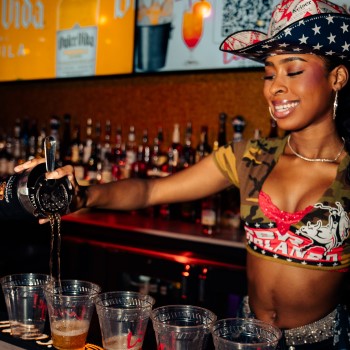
[294, 191]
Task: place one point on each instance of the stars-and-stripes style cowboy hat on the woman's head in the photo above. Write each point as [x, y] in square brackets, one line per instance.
[297, 26]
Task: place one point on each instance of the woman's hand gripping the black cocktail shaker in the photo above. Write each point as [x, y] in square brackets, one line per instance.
[79, 197]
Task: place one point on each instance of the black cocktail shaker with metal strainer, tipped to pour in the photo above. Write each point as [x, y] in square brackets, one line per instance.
[29, 194]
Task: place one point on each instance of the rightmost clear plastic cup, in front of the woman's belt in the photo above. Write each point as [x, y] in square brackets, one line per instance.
[244, 334]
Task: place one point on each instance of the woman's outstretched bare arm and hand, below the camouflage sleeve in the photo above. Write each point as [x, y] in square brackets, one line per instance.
[197, 181]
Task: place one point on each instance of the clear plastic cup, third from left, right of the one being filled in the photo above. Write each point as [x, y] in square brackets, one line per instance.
[123, 318]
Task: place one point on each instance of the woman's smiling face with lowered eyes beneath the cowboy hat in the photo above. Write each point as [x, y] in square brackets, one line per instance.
[298, 90]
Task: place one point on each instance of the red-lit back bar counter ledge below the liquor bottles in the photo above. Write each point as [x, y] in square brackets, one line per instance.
[167, 239]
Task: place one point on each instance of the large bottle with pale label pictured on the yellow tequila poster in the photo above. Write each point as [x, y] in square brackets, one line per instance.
[76, 41]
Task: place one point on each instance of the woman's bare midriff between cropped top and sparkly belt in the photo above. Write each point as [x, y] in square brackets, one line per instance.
[289, 296]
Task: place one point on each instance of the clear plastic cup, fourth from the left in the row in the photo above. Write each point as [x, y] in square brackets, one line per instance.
[182, 327]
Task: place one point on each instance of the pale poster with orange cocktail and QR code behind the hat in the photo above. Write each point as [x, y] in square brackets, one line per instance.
[177, 35]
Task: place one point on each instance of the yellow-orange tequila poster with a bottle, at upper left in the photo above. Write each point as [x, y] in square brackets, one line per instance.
[42, 39]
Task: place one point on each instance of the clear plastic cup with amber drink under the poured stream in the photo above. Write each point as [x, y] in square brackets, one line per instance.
[70, 306]
